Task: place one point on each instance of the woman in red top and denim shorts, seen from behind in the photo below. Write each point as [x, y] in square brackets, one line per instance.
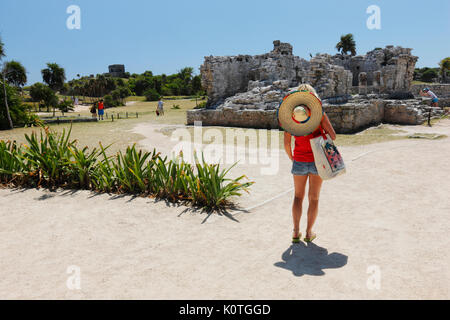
[303, 167]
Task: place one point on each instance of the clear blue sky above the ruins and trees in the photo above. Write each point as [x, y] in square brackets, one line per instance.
[165, 36]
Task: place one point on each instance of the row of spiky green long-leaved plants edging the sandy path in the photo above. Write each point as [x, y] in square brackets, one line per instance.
[54, 160]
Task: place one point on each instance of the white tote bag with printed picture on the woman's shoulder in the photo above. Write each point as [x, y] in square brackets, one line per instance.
[328, 160]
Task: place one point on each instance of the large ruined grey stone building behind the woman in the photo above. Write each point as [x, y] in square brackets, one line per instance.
[357, 91]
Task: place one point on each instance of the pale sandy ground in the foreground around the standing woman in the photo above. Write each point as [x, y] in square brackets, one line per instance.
[389, 213]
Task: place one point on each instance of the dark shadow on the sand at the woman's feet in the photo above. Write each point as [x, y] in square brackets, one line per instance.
[310, 259]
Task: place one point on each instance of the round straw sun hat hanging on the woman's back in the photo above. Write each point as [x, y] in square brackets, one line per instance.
[300, 113]
